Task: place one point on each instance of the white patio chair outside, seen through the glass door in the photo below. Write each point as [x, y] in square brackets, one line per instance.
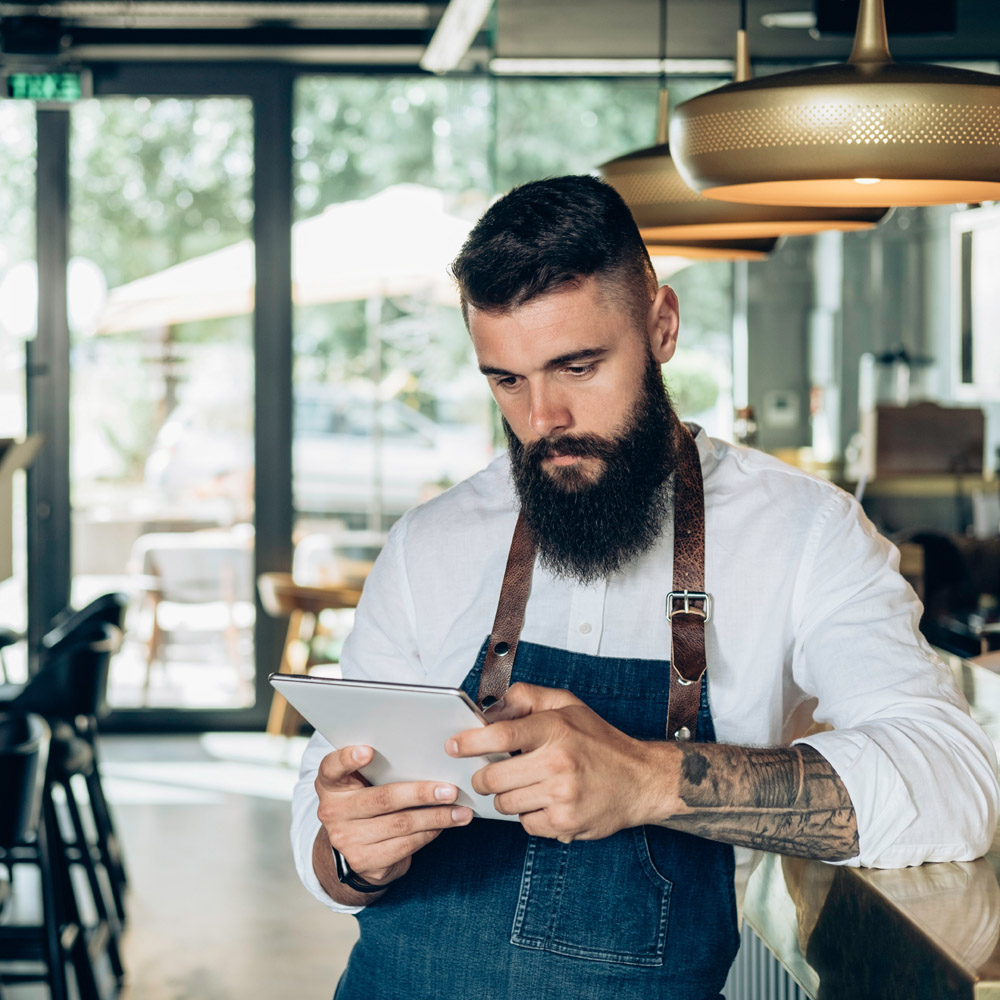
[195, 583]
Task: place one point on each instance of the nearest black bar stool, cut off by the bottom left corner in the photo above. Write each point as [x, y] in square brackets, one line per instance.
[29, 835]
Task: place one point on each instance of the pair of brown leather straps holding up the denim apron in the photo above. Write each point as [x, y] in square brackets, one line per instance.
[688, 605]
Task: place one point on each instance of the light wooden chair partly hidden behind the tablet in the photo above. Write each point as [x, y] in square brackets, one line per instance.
[282, 597]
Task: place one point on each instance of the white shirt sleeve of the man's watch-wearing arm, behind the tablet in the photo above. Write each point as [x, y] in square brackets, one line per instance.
[381, 646]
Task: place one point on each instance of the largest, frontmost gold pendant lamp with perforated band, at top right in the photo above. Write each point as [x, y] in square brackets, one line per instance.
[865, 132]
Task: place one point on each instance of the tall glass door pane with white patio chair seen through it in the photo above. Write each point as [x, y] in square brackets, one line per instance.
[161, 300]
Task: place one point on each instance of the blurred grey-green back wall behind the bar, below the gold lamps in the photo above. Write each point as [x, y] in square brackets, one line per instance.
[818, 304]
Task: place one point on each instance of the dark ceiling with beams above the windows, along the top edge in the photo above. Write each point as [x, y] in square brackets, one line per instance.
[396, 32]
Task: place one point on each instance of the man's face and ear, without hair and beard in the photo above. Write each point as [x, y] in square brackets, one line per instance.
[569, 364]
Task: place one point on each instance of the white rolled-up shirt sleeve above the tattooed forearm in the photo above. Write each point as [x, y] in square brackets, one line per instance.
[922, 775]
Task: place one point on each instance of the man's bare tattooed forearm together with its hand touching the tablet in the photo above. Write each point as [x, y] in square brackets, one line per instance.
[579, 778]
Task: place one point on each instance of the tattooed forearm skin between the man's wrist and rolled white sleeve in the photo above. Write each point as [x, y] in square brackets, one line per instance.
[788, 800]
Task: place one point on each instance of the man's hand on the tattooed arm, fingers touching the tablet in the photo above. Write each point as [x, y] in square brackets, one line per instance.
[576, 777]
